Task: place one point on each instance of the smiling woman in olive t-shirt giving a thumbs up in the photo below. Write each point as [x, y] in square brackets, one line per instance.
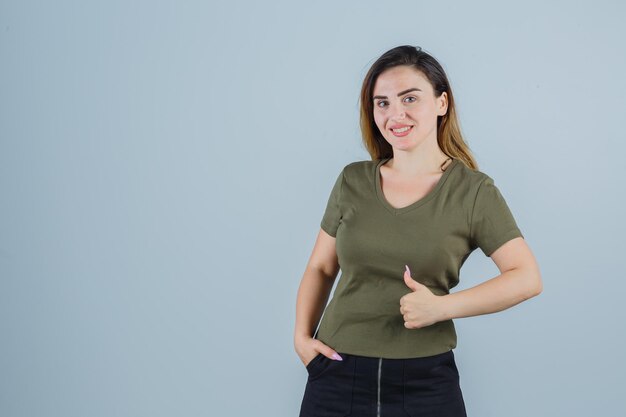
[401, 226]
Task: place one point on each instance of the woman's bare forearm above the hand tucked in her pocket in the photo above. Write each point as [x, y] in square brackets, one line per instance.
[312, 297]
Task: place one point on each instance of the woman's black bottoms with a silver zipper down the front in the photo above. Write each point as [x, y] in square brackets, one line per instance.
[362, 386]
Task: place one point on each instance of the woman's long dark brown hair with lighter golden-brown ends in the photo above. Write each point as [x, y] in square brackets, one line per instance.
[449, 137]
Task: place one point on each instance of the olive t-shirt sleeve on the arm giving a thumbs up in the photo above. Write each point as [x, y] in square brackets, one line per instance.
[492, 223]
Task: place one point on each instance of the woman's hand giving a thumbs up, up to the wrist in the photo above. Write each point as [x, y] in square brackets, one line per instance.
[420, 307]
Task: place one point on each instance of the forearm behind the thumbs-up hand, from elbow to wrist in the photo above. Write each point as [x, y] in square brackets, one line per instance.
[506, 290]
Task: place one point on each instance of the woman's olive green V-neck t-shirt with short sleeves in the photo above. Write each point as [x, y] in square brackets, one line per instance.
[433, 236]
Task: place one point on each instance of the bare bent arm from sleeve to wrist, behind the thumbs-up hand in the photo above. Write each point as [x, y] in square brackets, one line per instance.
[518, 281]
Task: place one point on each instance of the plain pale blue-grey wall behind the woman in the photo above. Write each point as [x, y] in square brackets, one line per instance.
[164, 167]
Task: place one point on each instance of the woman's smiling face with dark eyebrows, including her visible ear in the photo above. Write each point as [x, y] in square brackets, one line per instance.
[405, 107]
